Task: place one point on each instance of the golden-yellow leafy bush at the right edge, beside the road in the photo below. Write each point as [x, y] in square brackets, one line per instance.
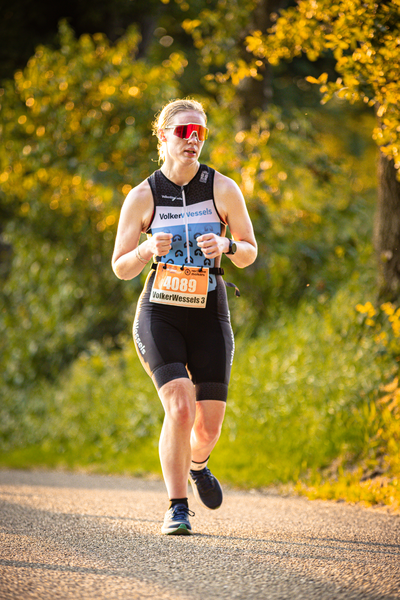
[376, 478]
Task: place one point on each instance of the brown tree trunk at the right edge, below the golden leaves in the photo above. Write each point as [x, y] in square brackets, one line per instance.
[387, 230]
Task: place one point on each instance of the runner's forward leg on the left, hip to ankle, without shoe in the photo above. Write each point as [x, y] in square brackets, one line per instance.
[161, 347]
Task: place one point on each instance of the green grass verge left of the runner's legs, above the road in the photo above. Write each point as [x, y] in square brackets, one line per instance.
[103, 415]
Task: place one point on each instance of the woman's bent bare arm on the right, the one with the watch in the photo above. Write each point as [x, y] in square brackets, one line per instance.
[232, 209]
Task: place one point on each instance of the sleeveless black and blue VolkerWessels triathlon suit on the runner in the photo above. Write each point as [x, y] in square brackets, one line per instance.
[186, 341]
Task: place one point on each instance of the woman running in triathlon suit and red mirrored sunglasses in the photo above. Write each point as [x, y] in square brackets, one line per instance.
[182, 329]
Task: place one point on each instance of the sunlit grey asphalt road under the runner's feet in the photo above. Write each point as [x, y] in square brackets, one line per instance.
[76, 536]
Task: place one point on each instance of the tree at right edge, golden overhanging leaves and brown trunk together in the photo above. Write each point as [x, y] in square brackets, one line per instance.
[364, 37]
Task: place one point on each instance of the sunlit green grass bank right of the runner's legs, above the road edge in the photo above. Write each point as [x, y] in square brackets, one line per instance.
[300, 397]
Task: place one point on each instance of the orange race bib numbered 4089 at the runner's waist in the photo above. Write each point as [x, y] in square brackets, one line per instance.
[180, 287]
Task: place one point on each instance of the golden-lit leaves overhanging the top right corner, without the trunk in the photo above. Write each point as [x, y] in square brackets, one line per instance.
[364, 39]
